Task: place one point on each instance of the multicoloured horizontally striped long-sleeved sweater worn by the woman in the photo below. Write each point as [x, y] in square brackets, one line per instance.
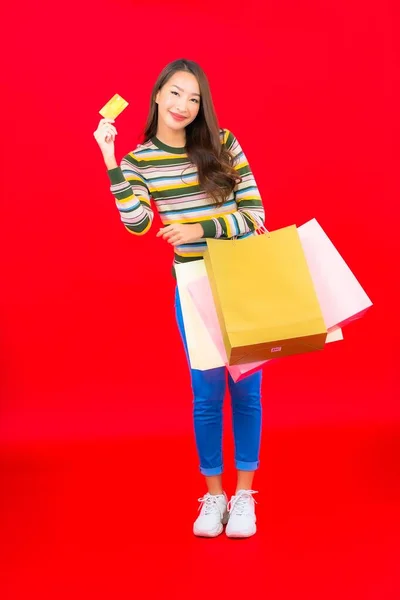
[166, 175]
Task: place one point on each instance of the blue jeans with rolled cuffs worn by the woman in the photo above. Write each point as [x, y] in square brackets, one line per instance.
[208, 395]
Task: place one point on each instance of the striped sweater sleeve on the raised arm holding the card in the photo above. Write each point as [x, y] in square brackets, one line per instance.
[132, 196]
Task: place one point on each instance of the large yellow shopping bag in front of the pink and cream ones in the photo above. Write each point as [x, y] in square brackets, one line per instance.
[265, 297]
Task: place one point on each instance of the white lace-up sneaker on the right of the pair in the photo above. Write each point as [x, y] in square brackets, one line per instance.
[242, 517]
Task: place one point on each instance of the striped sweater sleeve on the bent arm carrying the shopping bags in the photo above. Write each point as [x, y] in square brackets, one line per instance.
[249, 215]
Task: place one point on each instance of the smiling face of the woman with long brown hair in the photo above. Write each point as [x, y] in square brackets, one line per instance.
[179, 100]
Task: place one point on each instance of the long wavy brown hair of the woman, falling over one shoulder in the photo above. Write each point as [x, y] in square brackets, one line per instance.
[217, 176]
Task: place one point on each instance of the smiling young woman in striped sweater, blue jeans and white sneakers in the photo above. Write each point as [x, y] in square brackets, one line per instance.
[202, 186]
